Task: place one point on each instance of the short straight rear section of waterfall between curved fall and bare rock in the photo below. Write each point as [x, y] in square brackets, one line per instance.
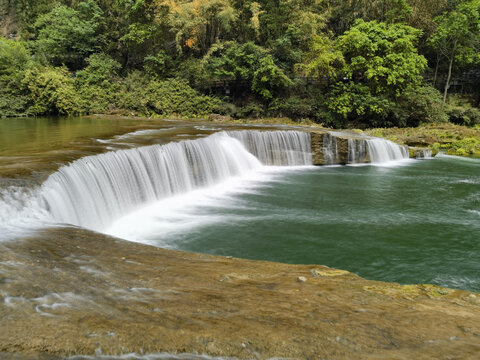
[286, 148]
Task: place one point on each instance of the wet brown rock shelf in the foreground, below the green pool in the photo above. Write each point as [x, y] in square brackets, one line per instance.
[69, 291]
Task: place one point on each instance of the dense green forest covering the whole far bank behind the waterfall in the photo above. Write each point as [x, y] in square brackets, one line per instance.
[340, 63]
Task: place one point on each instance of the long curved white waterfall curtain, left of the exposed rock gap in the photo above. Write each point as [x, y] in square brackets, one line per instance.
[94, 191]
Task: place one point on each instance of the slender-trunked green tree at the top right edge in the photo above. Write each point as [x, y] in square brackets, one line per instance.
[457, 38]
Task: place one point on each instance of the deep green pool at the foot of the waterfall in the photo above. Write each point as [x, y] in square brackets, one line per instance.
[410, 224]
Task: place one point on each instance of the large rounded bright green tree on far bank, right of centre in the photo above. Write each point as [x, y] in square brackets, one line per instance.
[380, 64]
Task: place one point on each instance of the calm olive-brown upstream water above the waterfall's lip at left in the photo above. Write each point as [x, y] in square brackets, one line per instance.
[36, 147]
